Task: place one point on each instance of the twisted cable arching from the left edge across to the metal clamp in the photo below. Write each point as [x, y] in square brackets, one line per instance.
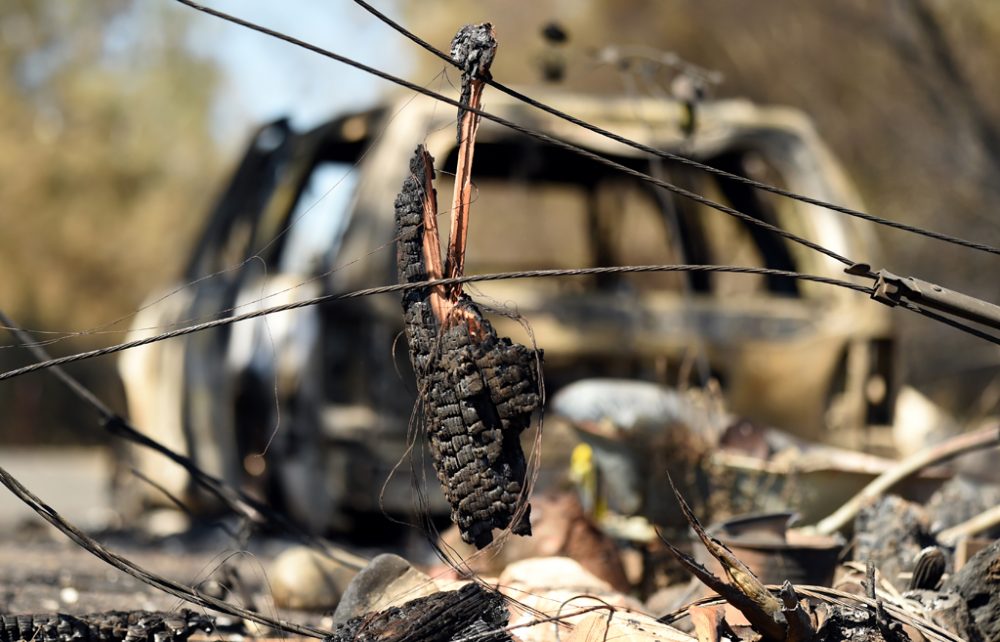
[400, 287]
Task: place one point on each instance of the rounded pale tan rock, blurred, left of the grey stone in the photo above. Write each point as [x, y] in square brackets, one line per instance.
[302, 578]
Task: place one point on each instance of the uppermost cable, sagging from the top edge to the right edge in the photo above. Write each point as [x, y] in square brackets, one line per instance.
[528, 100]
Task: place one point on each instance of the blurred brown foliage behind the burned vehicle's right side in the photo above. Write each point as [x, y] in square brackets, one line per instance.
[902, 90]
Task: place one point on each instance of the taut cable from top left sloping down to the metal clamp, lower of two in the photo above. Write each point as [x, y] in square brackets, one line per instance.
[545, 138]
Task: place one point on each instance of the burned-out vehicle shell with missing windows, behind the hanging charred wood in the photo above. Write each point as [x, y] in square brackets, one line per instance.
[314, 407]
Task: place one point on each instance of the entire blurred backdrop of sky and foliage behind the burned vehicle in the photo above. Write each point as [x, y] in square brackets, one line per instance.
[120, 122]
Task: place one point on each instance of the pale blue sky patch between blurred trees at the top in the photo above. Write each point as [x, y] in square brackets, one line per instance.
[267, 78]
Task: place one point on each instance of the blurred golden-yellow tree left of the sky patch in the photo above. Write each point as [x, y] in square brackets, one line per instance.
[107, 163]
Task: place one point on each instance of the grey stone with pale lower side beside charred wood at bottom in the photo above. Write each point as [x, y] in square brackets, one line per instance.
[388, 580]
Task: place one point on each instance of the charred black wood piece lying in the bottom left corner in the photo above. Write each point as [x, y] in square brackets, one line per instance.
[111, 626]
